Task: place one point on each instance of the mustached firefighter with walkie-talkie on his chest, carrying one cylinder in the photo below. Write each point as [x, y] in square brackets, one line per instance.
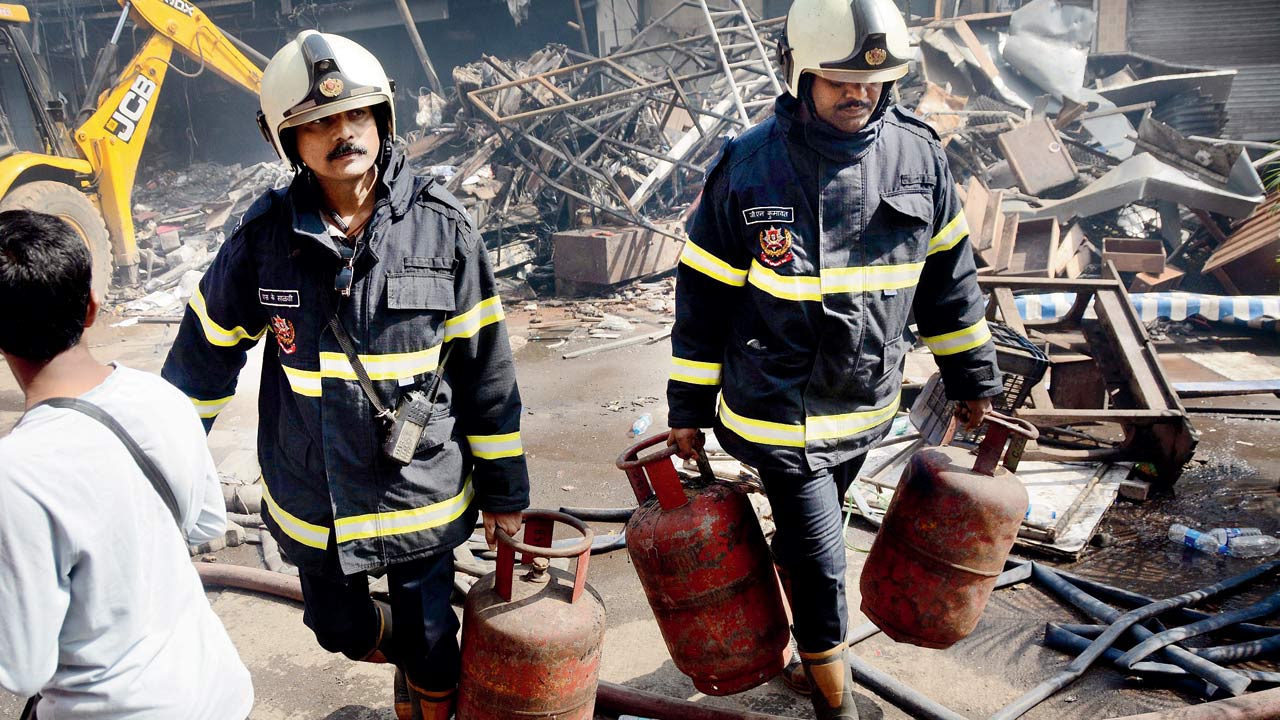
[388, 412]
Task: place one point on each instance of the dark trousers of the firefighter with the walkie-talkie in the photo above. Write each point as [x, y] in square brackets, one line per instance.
[424, 640]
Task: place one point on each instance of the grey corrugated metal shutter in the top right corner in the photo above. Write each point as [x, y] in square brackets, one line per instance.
[1227, 34]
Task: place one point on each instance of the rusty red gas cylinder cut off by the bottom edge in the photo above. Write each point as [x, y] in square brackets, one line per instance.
[532, 640]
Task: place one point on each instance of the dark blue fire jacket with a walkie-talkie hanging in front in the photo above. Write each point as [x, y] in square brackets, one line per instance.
[423, 284]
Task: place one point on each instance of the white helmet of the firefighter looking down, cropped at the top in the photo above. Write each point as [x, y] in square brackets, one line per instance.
[844, 42]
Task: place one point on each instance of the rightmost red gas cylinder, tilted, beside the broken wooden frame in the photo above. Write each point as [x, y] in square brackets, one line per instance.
[945, 539]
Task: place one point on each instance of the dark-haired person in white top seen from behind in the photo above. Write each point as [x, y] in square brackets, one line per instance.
[102, 612]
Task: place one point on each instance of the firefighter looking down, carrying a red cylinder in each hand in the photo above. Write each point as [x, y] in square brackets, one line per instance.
[820, 231]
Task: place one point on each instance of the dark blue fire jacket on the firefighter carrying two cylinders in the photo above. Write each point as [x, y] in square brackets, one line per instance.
[806, 257]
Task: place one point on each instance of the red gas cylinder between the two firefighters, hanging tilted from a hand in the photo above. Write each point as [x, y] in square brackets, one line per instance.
[708, 575]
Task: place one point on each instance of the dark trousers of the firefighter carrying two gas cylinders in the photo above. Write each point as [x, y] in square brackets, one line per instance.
[810, 545]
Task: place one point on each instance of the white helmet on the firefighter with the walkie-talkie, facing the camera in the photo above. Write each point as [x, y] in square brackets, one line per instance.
[319, 75]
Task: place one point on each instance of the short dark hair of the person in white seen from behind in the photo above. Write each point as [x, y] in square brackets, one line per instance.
[45, 276]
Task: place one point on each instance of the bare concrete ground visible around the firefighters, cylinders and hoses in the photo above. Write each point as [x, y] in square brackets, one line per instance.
[573, 438]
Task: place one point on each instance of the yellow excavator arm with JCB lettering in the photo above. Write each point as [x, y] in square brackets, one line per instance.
[113, 136]
